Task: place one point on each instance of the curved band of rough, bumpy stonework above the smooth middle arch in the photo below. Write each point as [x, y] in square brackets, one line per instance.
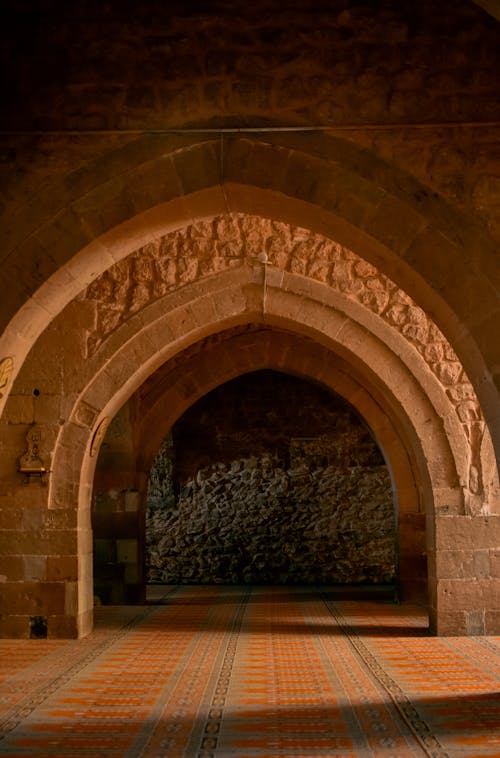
[206, 248]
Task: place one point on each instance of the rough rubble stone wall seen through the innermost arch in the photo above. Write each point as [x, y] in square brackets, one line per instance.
[270, 479]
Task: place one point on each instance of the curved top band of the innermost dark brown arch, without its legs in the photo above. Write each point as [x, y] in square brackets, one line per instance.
[167, 395]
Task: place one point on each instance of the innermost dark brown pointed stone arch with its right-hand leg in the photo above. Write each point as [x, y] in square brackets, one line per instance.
[165, 397]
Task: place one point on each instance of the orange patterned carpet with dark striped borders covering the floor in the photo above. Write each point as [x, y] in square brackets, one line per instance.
[252, 672]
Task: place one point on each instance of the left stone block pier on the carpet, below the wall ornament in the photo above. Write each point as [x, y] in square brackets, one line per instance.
[40, 569]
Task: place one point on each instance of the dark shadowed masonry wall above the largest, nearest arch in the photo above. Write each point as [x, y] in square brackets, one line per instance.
[113, 67]
